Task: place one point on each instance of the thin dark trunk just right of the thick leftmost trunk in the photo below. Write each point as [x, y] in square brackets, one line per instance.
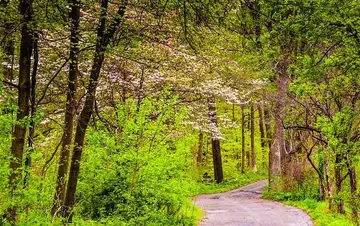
[32, 109]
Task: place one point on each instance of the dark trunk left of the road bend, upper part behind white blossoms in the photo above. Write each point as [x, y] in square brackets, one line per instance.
[216, 151]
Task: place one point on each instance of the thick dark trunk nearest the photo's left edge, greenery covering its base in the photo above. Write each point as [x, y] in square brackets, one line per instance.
[19, 132]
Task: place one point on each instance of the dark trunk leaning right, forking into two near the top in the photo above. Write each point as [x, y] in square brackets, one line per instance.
[104, 37]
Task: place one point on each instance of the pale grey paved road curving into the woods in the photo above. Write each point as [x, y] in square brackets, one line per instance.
[245, 207]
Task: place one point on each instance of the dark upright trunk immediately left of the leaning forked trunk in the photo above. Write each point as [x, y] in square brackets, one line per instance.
[63, 165]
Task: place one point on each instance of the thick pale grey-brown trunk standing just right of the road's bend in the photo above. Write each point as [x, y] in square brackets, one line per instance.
[278, 149]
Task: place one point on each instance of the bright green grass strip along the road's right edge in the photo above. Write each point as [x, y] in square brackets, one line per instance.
[317, 210]
